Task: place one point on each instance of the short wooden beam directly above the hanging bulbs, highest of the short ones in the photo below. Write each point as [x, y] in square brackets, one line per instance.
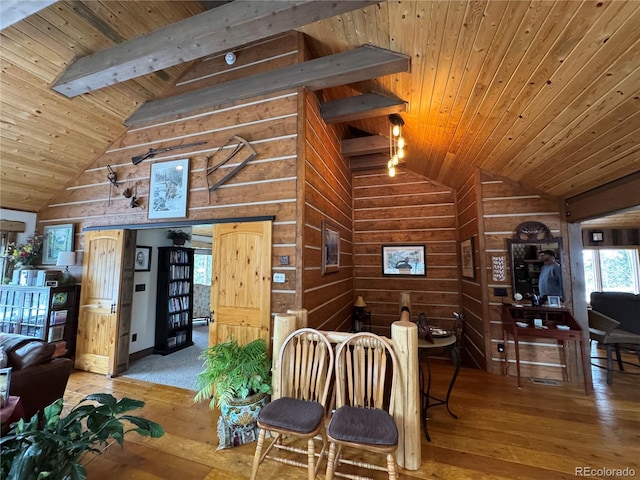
[360, 106]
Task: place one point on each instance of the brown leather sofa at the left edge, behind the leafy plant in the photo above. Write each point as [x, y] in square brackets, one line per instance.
[36, 377]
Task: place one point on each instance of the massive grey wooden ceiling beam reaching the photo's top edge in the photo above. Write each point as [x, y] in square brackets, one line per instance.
[224, 28]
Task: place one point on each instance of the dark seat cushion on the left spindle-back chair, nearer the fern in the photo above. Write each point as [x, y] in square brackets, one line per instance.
[292, 414]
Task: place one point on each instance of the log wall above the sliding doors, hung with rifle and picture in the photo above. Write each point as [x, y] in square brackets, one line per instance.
[266, 186]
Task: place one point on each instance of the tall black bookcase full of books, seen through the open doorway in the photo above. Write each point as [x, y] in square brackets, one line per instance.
[174, 306]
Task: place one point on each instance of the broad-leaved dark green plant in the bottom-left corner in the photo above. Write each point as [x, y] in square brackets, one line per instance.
[54, 451]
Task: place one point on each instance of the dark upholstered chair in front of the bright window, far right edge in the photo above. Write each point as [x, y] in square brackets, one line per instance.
[614, 320]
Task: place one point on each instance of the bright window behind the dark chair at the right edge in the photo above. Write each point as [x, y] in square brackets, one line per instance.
[611, 270]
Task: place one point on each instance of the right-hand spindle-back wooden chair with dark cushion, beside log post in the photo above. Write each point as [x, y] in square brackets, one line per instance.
[363, 418]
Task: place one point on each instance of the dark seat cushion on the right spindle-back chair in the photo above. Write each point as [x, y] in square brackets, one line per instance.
[363, 425]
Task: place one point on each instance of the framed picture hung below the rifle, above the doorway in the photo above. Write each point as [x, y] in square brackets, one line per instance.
[168, 189]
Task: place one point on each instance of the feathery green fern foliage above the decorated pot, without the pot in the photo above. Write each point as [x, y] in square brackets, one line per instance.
[233, 371]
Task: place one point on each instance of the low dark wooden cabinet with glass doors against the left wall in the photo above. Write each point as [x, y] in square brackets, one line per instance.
[49, 313]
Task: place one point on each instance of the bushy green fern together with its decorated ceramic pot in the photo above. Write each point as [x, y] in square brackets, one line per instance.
[237, 379]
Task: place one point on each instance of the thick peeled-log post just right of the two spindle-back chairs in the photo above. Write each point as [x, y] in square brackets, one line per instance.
[404, 335]
